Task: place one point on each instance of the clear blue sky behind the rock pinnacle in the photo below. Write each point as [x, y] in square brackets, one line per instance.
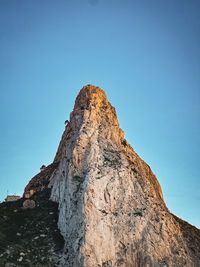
[144, 54]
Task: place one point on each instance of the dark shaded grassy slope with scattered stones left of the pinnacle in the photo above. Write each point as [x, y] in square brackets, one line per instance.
[30, 237]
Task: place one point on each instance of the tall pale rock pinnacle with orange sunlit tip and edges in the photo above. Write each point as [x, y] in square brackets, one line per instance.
[111, 208]
